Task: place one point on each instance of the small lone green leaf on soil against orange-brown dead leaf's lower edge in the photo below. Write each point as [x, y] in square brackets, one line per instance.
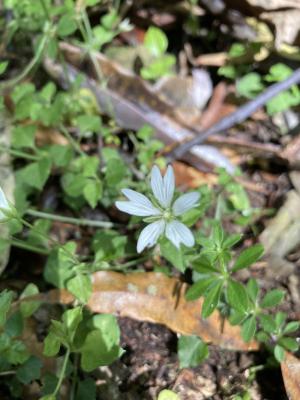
[191, 351]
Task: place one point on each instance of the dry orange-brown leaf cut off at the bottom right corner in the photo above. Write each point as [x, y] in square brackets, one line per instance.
[290, 369]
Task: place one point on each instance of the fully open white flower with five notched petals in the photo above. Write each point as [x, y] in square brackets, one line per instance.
[164, 213]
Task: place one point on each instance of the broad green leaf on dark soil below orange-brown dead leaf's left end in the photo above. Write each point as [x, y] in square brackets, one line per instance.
[102, 354]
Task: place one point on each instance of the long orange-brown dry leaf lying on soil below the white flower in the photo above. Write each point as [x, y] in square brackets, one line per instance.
[156, 298]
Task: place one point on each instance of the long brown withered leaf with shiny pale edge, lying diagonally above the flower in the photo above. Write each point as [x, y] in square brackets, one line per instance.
[132, 102]
